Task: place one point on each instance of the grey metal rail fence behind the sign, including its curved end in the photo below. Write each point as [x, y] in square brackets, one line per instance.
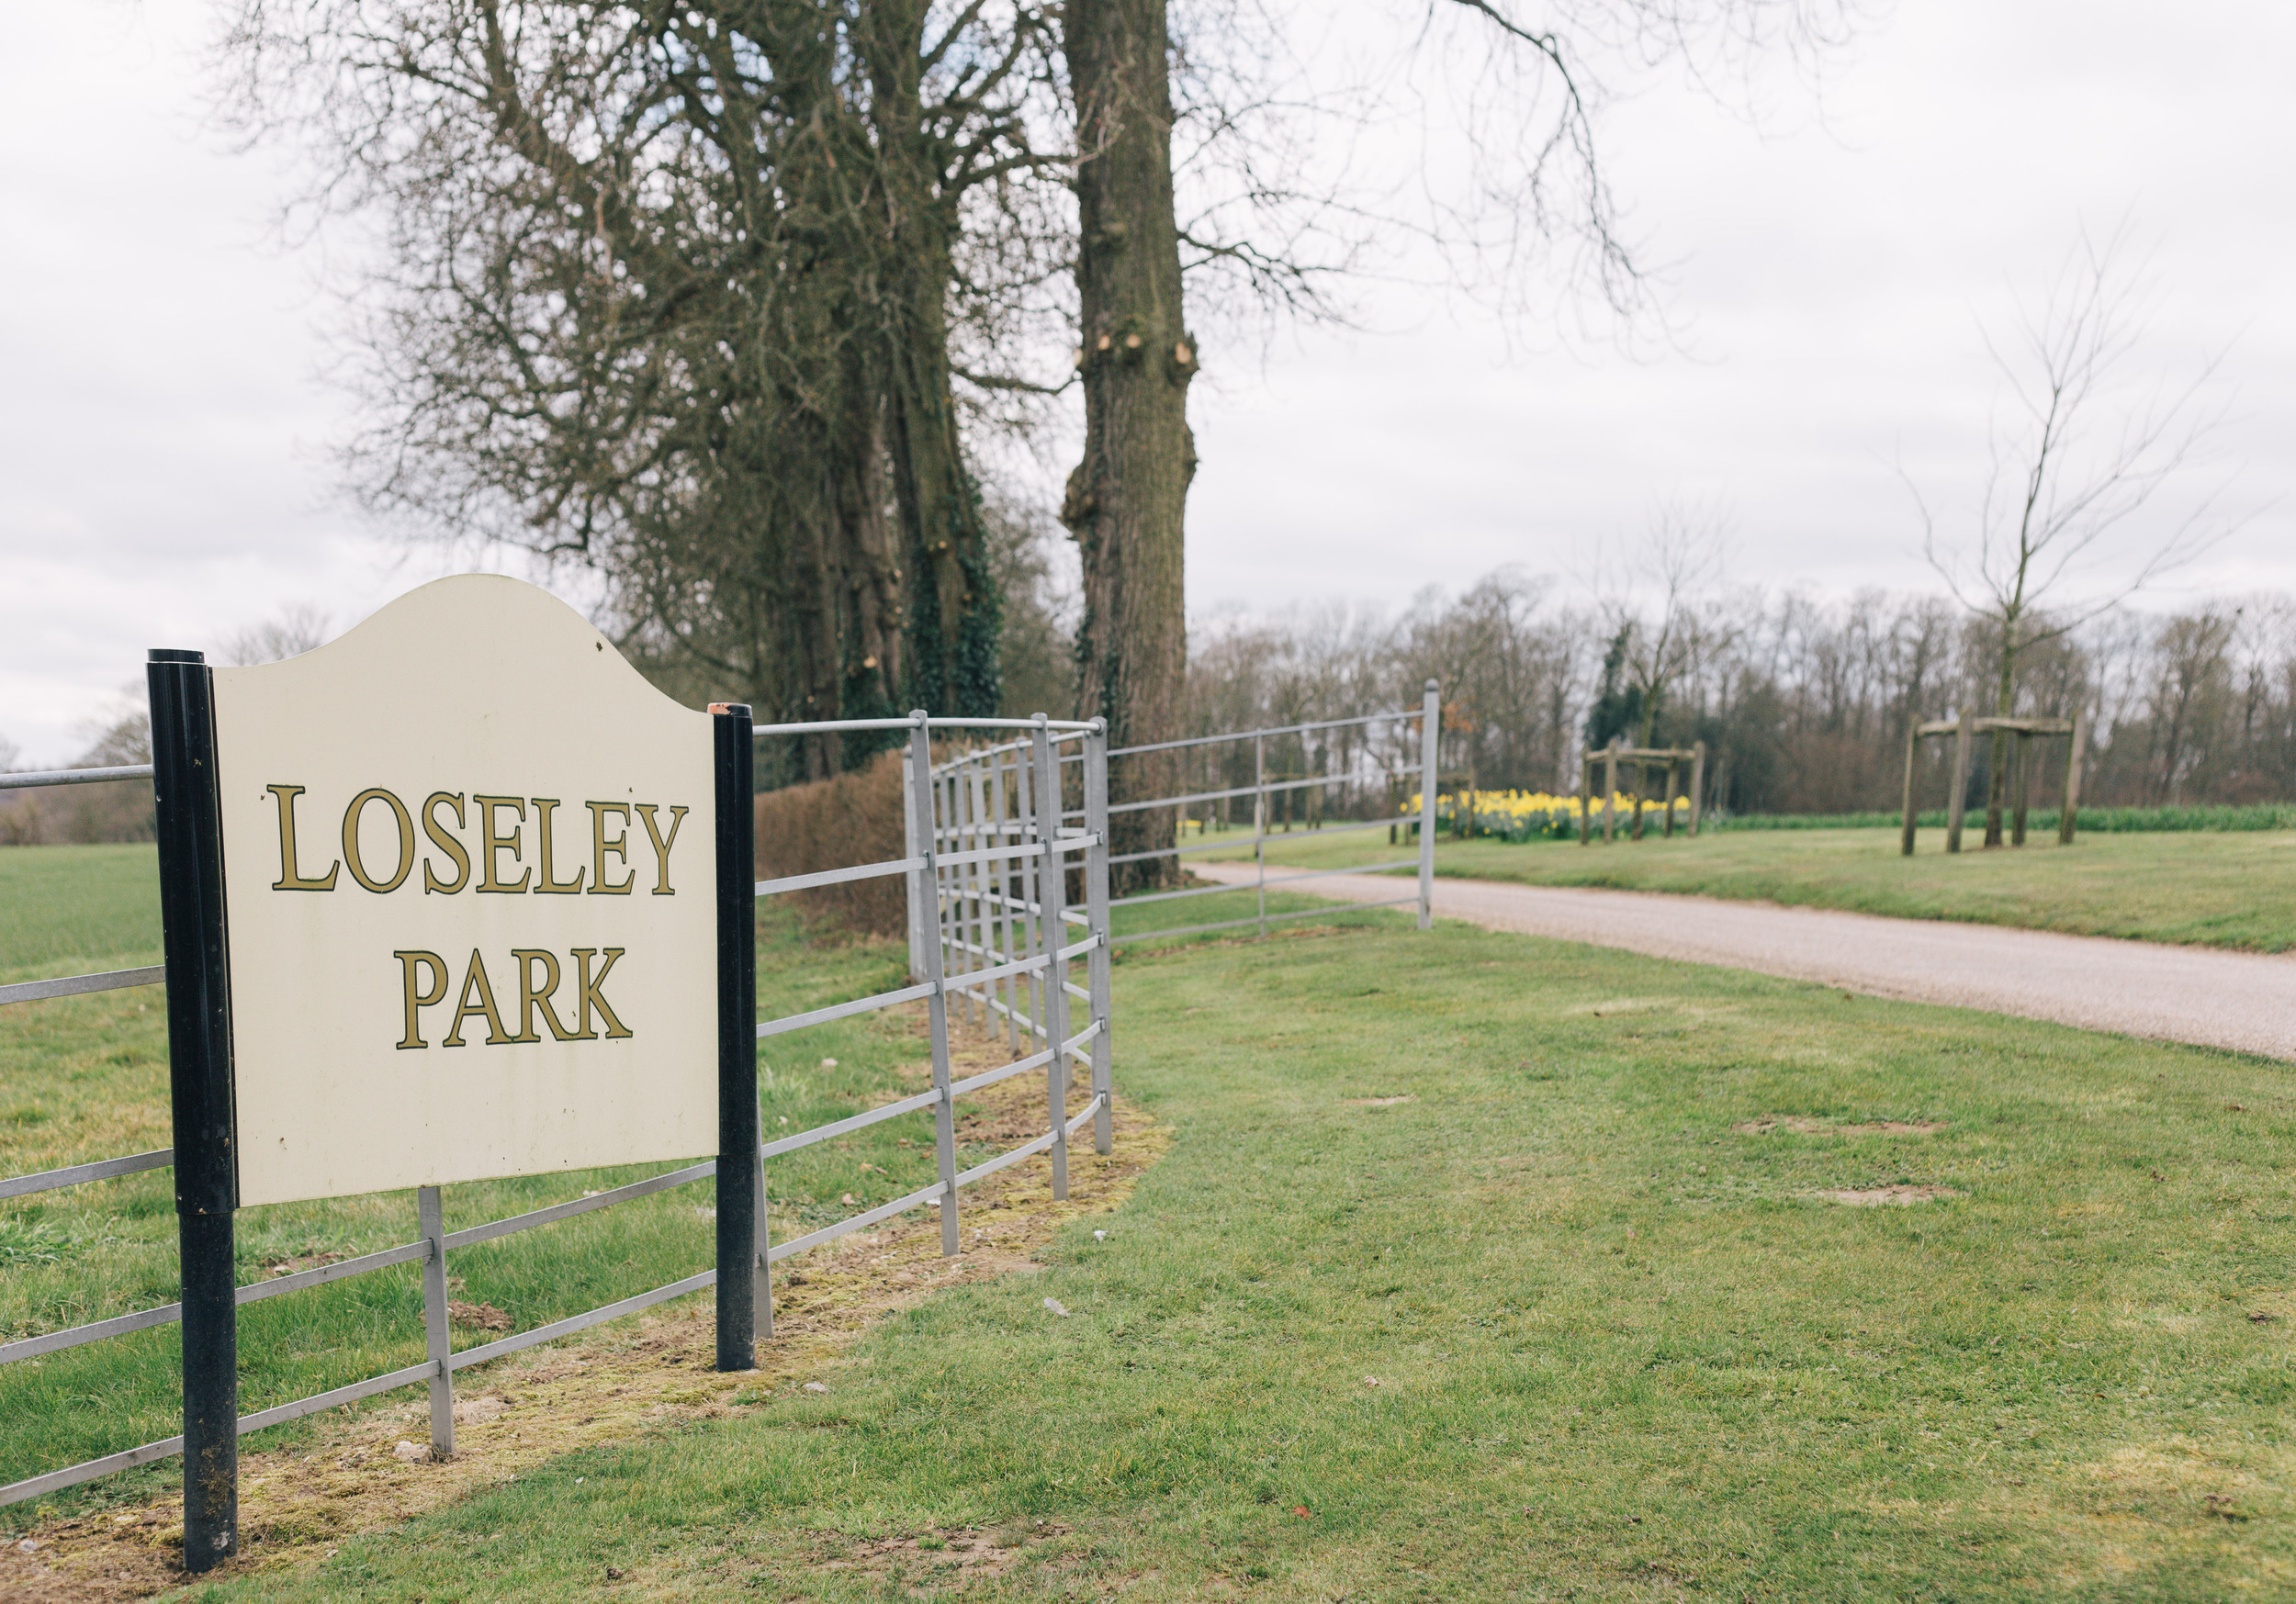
[1041, 967]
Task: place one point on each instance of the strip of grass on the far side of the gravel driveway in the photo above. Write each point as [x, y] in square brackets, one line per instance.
[2208, 889]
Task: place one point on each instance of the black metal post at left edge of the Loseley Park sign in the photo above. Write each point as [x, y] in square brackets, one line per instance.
[201, 1089]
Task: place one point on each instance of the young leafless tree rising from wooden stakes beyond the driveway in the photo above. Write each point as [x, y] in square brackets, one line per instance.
[2074, 462]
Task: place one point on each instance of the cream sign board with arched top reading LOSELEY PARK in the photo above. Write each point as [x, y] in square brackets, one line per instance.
[472, 896]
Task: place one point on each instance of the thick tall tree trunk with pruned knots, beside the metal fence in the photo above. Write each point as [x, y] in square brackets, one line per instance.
[1128, 497]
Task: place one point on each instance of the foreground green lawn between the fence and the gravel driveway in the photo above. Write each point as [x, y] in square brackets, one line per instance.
[1622, 1348]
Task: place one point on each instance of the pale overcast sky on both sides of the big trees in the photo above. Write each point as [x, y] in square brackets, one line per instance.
[166, 421]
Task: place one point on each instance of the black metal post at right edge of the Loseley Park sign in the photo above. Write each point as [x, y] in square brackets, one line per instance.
[738, 1038]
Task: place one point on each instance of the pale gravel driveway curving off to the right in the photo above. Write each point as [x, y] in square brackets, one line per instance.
[2244, 1002]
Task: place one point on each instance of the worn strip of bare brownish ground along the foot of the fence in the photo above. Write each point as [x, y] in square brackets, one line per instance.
[610, 1385]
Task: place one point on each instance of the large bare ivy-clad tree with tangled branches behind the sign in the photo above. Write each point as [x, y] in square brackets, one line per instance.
[674, 293]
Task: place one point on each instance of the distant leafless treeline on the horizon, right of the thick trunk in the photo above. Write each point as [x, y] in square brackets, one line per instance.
[1804, 703]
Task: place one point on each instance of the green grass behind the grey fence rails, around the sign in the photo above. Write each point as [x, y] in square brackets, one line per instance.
[88, 1080]
